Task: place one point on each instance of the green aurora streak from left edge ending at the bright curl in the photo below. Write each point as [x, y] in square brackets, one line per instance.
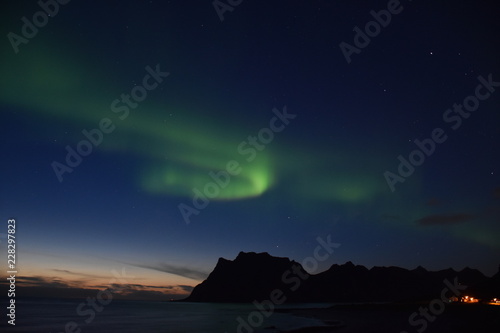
[193, 145]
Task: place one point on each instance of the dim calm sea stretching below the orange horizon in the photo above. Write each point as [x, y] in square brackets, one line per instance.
[77, 316]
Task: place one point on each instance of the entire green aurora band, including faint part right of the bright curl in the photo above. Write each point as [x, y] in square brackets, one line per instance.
[179, 145]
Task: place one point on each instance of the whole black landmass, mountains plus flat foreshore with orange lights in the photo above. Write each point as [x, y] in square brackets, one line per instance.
[380, 299]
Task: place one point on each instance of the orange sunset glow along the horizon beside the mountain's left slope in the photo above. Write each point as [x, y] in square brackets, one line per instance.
[43, 271]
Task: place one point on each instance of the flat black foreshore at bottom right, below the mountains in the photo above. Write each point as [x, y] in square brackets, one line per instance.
[374, 318]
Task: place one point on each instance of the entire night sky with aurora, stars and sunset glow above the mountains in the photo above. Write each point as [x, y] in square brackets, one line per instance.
[302, 120]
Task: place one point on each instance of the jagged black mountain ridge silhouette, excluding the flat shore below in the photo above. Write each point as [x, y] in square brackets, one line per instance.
[255, 276]
